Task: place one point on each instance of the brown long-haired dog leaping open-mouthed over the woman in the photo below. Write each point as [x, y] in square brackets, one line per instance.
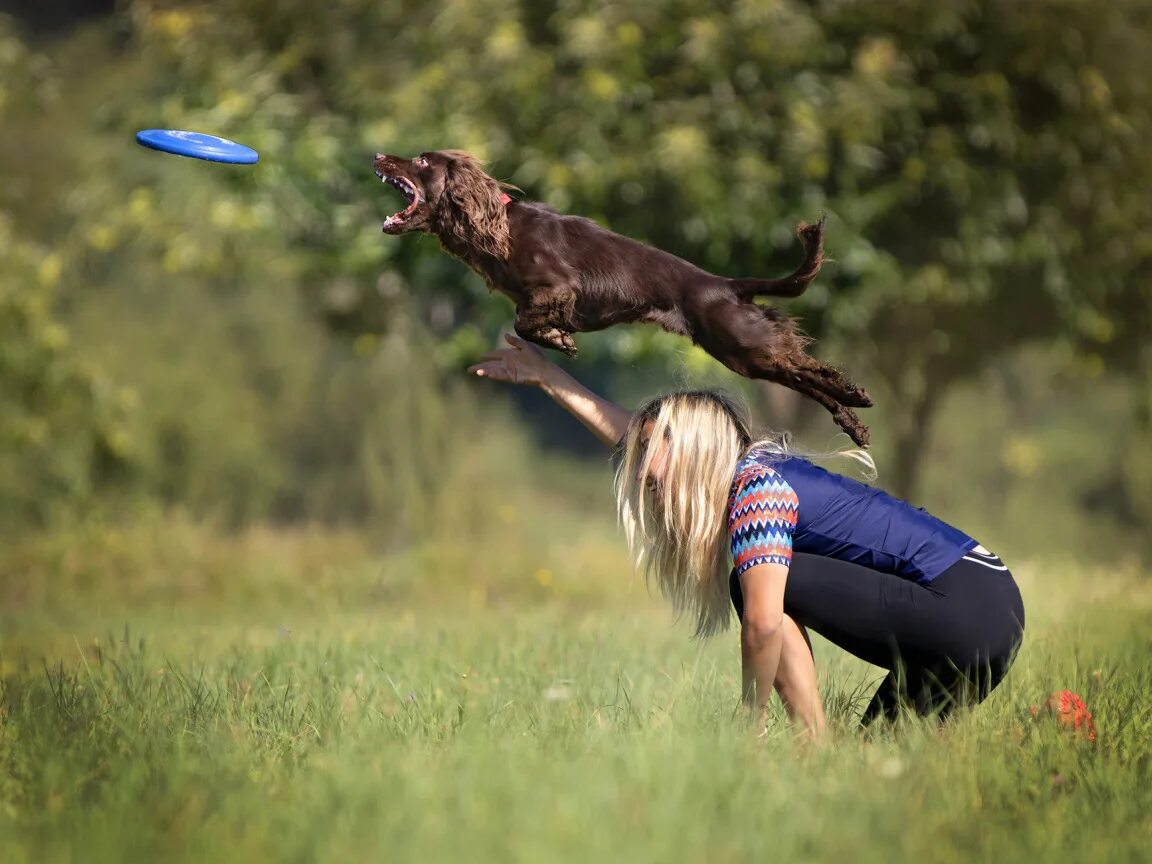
[567, 275]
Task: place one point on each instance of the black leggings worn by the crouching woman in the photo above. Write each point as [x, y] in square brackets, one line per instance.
[946, 643]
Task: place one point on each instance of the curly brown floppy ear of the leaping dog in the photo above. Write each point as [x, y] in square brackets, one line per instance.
[479, 218]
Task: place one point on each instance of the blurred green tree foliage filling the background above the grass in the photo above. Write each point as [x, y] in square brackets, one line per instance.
[244, 346]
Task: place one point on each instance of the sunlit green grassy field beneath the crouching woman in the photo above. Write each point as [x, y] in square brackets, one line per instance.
[289, 699]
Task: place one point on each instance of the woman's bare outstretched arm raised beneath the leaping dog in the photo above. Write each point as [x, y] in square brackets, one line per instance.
[525, 363]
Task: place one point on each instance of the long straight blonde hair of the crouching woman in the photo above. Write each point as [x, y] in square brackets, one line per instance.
[678, 532]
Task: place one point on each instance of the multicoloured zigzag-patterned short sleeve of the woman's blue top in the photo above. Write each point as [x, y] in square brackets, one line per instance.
[762, 518]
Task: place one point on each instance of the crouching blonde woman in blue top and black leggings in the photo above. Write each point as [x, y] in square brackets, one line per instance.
[715, 518]
